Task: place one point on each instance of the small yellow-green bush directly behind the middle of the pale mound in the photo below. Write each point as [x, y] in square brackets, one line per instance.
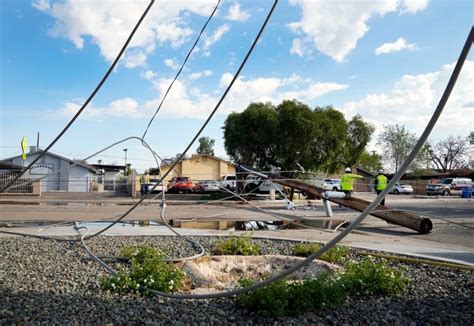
[242, 245]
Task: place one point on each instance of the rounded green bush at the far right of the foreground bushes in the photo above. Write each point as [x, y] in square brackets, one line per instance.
[371, 277]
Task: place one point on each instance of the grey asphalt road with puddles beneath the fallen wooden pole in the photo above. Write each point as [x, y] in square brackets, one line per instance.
[452, 217]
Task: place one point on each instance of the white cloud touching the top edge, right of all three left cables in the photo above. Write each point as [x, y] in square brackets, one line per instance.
[334, 28]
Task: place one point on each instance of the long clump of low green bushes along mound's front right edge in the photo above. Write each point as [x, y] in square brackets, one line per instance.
[324, 292]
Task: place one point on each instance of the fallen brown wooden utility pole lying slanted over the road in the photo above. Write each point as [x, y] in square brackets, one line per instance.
[406, 219]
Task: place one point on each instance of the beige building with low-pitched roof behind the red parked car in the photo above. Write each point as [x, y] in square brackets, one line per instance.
[200, 167]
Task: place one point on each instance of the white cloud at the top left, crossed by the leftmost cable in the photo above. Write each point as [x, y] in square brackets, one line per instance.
[108, 24]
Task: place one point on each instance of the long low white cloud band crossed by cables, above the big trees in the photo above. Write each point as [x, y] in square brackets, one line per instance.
[183, 101]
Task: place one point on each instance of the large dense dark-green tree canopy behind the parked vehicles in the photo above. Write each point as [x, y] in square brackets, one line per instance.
[267, 136]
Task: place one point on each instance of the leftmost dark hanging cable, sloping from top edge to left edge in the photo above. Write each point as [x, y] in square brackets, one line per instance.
[109, 71]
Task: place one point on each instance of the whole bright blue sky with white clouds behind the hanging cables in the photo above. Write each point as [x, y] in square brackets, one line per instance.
[388, 61]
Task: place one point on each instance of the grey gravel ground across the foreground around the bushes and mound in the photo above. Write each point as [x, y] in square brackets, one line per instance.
[52, 282]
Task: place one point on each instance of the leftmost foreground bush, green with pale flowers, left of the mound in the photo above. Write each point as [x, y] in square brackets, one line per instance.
[147, 270]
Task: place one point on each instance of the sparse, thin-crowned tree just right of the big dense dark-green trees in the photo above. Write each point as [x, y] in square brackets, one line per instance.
[397, 143]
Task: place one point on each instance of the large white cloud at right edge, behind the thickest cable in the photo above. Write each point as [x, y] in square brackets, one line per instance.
[413, 98]
